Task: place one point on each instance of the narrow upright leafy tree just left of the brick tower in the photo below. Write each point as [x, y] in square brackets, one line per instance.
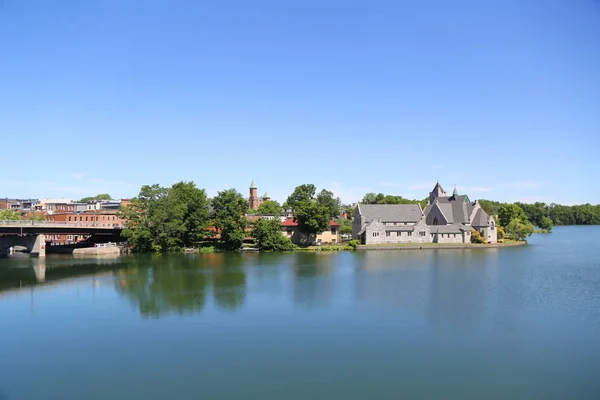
[229, 209]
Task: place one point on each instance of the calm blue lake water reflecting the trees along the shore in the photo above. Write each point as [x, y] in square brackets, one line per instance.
[496, 323]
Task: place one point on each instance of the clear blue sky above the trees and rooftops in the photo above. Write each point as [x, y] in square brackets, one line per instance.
[500, 97]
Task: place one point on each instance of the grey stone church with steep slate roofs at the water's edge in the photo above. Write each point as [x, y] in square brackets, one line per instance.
[445, 219]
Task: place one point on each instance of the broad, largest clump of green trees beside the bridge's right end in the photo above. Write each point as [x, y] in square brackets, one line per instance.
[166, 219]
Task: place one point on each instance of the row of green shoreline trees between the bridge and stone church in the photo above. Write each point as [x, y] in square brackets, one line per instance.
[168, 219]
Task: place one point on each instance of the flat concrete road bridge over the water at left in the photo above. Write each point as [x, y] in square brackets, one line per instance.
[31, 234]
